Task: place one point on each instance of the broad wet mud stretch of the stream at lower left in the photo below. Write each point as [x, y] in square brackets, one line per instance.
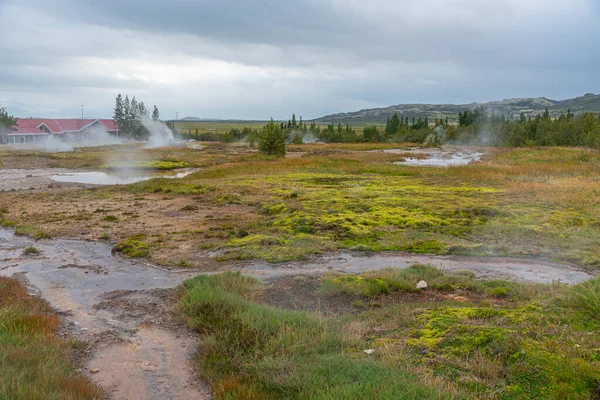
[122, 309]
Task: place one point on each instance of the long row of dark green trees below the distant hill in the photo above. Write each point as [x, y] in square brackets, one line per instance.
[475, 127]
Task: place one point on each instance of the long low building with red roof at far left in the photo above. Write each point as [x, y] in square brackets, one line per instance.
[30, 130]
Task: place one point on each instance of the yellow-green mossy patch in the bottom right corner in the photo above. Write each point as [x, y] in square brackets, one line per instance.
[460, 341]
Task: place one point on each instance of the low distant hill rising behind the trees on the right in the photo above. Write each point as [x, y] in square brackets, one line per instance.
[511, 108]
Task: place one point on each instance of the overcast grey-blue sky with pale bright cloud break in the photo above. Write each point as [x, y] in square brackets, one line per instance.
[269, 58]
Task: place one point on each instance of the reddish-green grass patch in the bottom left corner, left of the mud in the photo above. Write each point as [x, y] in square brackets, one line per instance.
[34, 363]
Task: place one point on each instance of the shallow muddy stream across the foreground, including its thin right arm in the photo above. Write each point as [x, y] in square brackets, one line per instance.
[122, 308]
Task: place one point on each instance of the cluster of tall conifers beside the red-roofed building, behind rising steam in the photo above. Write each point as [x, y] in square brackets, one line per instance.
[129, 116]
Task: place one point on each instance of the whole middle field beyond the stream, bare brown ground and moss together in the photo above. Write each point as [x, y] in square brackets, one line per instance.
[531, 202]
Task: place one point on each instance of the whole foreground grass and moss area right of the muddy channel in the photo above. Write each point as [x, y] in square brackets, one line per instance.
[458, 339]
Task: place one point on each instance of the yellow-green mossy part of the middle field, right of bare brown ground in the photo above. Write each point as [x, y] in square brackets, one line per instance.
[520, 203]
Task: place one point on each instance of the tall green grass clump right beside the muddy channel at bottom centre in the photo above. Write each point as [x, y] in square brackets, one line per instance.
[252, 351]
